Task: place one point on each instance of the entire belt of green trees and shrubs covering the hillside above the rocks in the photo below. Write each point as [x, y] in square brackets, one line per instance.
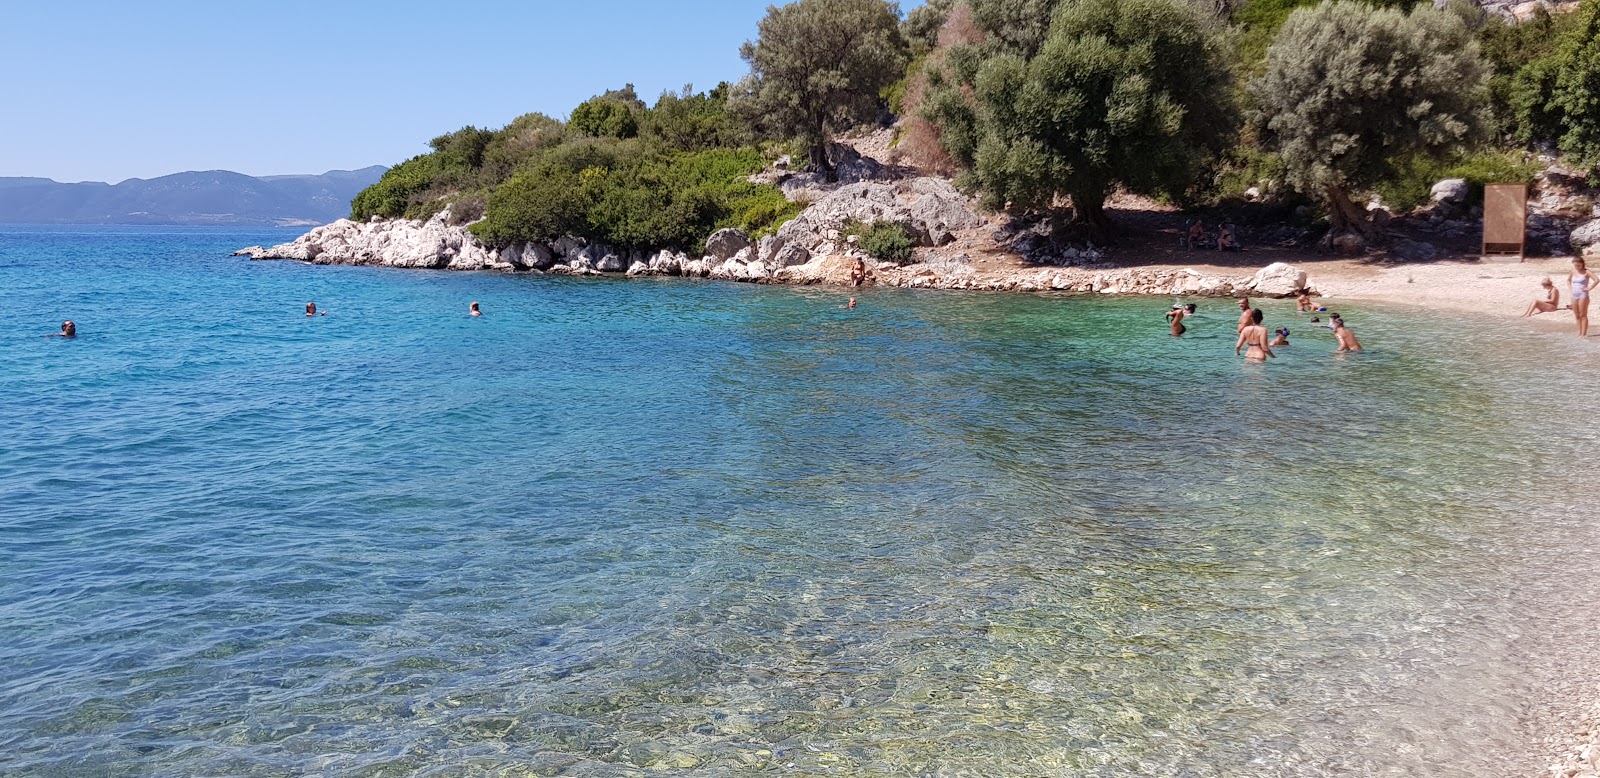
[1034, 105]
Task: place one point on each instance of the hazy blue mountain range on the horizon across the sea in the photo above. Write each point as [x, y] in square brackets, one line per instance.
[207, 198]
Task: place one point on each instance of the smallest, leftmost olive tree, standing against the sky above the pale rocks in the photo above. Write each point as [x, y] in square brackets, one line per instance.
[820, 66]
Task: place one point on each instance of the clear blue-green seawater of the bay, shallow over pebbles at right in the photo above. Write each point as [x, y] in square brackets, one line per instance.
[628, 527]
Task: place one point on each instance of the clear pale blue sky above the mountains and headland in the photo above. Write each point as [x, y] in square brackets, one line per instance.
[106, 92]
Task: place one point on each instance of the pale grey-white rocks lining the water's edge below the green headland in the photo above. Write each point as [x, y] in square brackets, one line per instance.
[812, 249]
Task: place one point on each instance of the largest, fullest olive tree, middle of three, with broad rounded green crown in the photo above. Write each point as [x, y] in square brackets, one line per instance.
[1121, 94]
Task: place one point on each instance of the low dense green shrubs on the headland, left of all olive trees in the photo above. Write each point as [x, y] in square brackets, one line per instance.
[617, 172]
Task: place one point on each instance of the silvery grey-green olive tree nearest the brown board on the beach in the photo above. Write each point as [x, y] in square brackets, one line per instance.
[1350, 89]
